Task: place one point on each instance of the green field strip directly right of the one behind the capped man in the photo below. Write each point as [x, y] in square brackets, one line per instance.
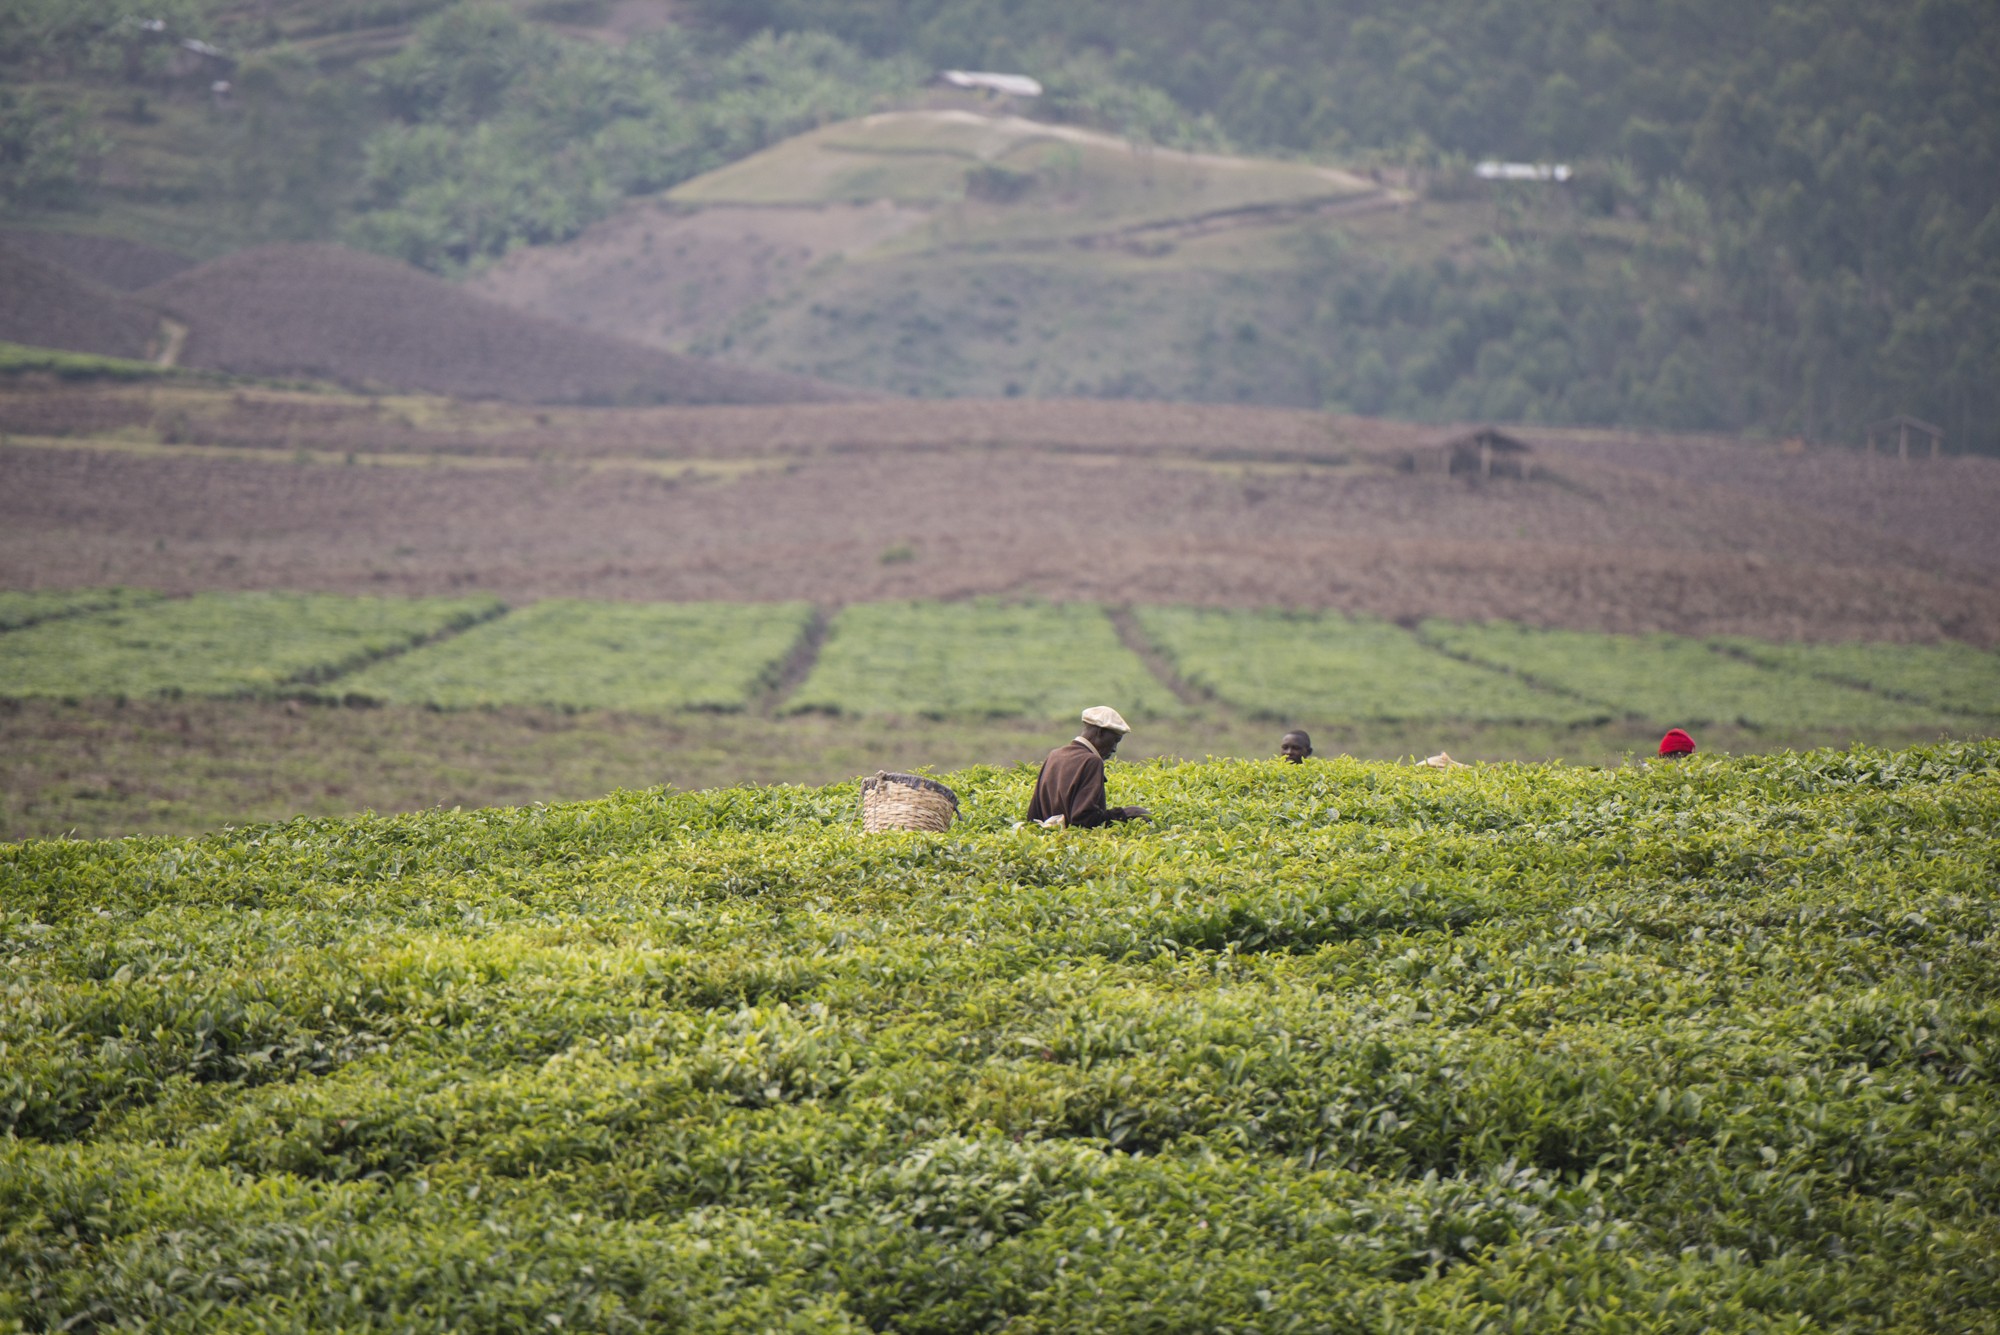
[1303, 668]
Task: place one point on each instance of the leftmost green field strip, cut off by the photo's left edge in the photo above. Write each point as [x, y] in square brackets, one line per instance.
[221, 645]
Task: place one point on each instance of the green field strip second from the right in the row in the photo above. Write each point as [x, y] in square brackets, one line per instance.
[1675, 680]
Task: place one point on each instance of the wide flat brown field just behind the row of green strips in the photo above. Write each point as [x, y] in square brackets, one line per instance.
[1113, 503]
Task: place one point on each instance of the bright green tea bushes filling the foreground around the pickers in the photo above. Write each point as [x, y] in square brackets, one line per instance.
[1329, 1048]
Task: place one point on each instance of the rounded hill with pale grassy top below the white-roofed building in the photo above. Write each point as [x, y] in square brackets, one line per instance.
[951, 253]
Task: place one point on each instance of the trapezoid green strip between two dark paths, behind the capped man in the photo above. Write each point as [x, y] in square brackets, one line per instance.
[981, 661]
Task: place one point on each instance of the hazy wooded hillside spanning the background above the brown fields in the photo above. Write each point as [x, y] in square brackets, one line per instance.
[1785, 219]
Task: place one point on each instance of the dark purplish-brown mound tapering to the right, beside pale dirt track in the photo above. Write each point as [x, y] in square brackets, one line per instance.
[367, 323]
